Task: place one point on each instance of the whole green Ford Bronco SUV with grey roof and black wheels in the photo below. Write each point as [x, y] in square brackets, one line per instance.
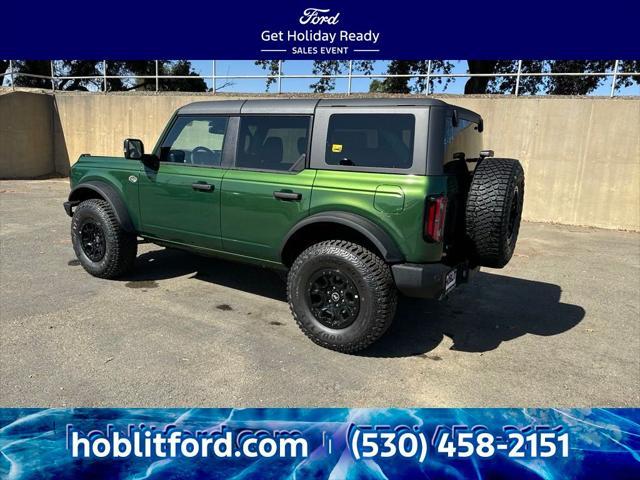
[358, 199]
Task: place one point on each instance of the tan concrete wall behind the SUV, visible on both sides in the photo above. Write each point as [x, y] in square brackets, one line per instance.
[581, 155]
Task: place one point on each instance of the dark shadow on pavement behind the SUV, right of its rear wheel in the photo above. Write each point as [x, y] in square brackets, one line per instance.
[477, 317]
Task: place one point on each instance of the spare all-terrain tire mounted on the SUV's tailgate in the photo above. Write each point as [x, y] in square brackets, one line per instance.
[494, 210]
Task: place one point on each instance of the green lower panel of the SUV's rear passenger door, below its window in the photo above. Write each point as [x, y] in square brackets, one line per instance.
[253, 221]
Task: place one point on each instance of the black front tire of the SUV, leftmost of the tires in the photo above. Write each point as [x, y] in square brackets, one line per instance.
[120, 248]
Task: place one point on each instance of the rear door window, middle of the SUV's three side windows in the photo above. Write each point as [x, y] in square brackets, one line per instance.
[273, 142]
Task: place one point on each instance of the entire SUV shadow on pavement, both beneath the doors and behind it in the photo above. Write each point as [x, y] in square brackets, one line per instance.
[476, 317]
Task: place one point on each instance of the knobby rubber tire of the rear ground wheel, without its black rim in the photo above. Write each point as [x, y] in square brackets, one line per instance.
[372, 279]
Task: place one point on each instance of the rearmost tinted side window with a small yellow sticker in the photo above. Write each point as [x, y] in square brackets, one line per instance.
[371, 140]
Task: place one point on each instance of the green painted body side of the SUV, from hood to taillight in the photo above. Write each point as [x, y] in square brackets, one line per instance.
[241, 219]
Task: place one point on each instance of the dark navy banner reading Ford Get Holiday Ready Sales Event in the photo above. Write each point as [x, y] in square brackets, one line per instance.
[321, 29]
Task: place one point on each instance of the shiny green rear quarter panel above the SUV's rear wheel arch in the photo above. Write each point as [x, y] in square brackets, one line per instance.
[376, 196]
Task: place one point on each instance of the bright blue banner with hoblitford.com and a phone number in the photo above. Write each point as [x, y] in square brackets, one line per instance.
[319, 443]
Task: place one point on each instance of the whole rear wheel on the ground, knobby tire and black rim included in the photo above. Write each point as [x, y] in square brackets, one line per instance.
[342, 296]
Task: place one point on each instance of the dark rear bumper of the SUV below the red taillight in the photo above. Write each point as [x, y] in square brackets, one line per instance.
[430, 280]
